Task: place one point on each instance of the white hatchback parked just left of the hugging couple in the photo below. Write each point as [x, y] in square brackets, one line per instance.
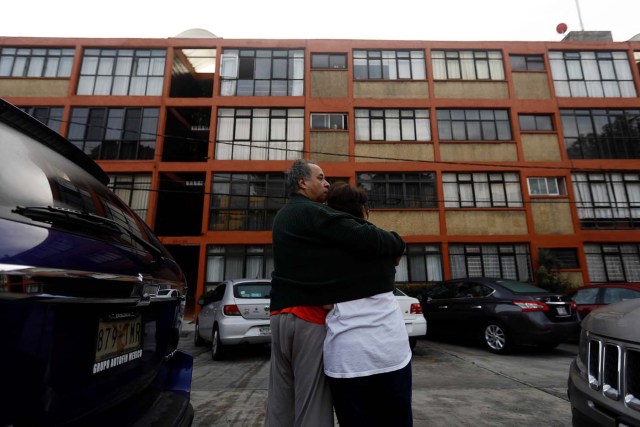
[235, 312]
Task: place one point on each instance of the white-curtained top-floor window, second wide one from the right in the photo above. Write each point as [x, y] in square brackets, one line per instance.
[467, 65]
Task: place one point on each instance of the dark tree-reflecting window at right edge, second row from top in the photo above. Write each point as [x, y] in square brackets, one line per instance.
[601, 134]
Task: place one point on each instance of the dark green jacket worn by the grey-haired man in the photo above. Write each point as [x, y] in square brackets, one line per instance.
[323, 256]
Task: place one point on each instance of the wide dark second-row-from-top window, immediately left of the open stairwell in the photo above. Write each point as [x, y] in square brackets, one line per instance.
[115, 133]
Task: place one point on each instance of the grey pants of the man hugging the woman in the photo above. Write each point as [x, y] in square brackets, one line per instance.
[299, 393]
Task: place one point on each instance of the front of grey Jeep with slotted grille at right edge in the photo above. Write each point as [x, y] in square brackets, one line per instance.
[603, 384]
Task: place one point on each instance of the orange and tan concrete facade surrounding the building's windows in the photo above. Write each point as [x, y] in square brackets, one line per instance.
[537, 221]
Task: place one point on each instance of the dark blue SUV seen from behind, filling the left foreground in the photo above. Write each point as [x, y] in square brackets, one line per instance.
[83, 343]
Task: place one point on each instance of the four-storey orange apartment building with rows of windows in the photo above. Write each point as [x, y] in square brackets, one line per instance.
[480, 154]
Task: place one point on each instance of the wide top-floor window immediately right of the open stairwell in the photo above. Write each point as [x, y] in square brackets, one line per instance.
[262, 72]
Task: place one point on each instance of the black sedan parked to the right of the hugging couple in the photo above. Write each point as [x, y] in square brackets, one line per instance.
[501, 313]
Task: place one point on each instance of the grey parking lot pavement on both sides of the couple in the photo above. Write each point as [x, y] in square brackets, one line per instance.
[452, 385]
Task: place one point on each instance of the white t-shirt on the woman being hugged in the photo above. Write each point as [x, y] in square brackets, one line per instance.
[365, 337]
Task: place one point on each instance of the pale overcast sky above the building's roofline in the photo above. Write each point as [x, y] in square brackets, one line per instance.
[483, 20]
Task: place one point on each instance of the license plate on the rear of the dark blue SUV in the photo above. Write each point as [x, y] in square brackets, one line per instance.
[117, 337]
